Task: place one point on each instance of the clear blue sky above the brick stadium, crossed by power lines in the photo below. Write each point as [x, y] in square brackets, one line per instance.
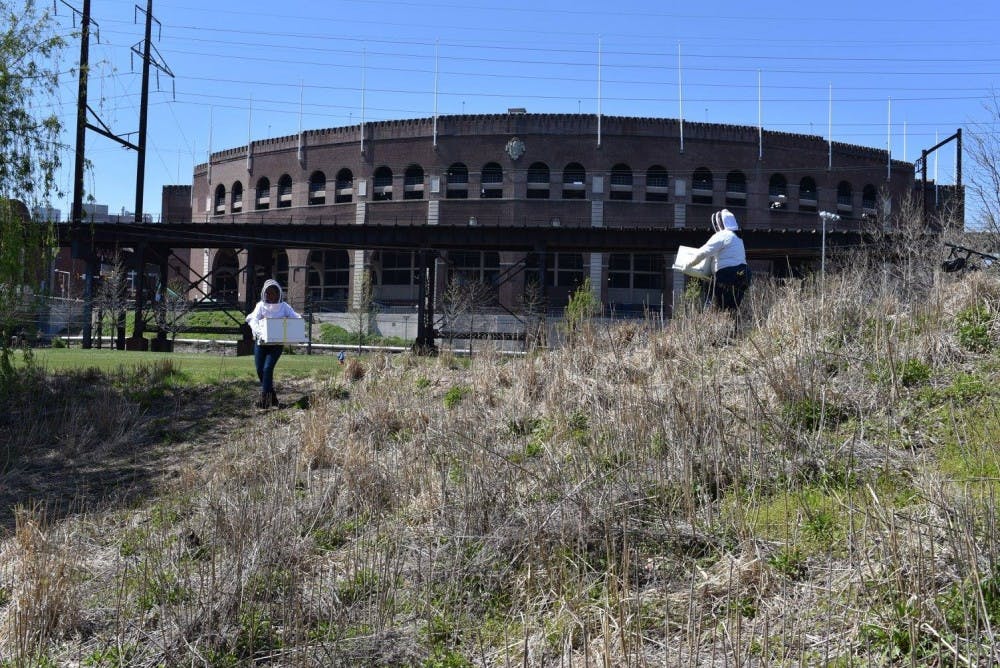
[879, 74]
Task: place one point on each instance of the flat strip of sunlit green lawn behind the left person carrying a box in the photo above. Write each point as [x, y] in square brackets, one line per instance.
[197, 368]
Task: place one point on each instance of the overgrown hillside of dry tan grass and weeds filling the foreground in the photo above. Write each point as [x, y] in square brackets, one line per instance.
[818, 488]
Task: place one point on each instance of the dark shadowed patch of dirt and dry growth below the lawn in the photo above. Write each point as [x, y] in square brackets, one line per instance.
[76, 470]
